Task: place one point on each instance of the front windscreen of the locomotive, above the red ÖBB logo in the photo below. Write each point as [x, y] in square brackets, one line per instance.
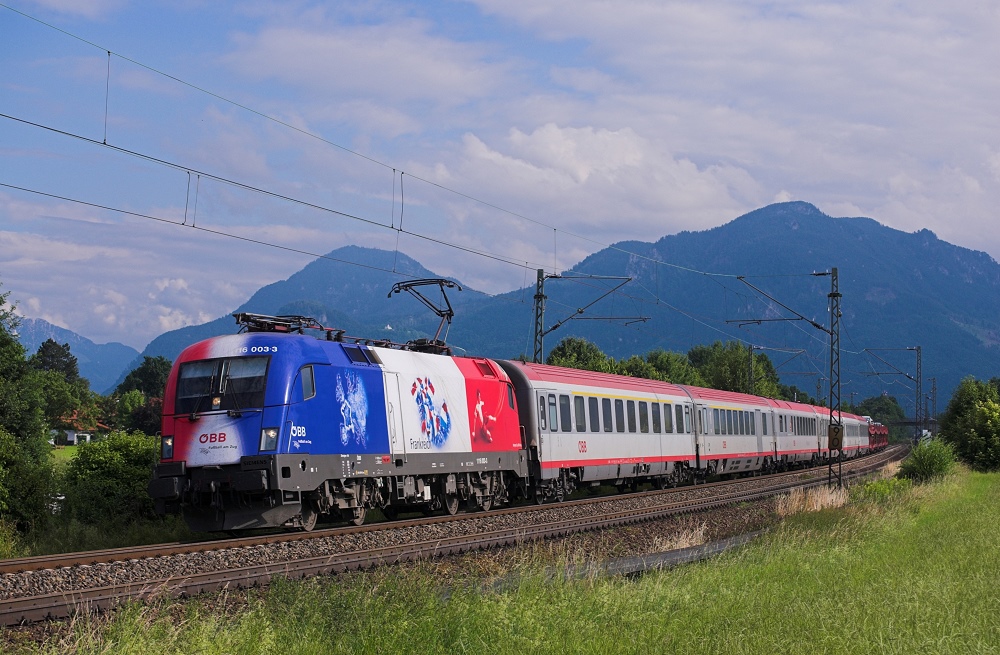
[233, 383]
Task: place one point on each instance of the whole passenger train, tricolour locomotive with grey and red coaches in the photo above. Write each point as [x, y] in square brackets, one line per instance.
[288, 421]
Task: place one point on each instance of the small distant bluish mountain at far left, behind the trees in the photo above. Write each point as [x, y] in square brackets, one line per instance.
[101, 364]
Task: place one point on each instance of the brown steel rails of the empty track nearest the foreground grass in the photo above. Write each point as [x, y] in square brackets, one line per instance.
[51, 606]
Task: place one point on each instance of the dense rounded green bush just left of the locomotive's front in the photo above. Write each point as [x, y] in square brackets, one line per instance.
[106, 482]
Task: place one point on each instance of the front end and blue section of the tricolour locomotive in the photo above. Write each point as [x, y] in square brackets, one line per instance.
[320, 412]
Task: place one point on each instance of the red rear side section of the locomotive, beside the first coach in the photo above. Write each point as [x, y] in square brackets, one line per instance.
[492, 408]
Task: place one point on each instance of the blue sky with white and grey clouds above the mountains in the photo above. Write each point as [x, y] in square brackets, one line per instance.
[160, 161]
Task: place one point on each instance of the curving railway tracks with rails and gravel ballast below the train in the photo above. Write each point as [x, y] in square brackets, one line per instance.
[366, 546]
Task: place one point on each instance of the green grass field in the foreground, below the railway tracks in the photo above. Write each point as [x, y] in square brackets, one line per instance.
[915, 574]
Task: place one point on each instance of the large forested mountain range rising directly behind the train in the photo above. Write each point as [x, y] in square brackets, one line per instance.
[900, 290]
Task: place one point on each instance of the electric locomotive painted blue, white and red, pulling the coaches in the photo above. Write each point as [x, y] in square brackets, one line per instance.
[273, 427]
